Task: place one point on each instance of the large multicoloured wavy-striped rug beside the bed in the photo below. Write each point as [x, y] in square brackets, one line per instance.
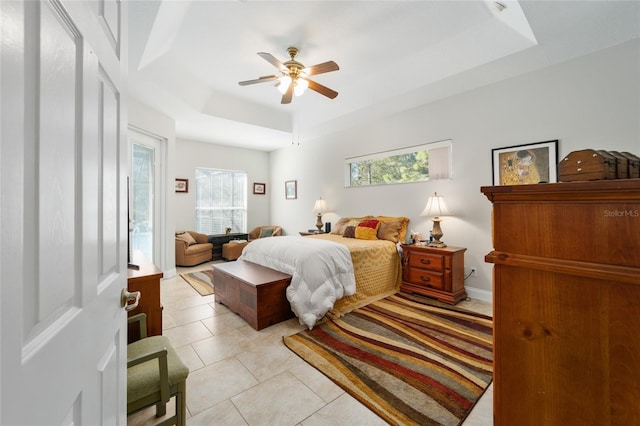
[409, 359]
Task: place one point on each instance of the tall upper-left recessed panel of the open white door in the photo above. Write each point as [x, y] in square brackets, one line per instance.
[54, 172]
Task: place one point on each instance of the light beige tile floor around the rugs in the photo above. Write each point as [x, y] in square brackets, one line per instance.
[239, 376]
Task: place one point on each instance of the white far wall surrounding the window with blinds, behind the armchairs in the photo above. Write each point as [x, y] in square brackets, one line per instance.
[191, 155]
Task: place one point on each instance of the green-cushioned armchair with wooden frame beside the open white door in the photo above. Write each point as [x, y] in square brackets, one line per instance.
[155, 373]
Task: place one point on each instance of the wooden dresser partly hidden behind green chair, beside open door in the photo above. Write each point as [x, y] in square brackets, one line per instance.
[146, 280]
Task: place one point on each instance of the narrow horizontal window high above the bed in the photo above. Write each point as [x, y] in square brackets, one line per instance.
[413, 164]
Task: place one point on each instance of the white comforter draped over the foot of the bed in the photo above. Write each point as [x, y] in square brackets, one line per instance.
[321, 271]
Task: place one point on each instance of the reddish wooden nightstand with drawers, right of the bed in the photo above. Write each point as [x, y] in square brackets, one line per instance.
[434, 272]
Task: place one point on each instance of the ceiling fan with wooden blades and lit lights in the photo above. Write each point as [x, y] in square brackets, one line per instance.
[293, 76]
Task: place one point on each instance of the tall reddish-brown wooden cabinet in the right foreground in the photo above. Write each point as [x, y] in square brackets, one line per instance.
[566, 301]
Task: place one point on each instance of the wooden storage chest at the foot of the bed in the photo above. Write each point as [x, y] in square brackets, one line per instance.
[255, 292]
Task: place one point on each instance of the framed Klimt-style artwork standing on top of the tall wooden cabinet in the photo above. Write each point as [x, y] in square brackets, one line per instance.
[525, 164]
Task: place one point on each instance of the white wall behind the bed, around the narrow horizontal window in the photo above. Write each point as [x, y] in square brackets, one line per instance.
[589, 102]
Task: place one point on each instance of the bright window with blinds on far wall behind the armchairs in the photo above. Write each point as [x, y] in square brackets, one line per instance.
[221, 201]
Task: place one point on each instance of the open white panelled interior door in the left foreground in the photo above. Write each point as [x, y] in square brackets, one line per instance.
[63, 213]
